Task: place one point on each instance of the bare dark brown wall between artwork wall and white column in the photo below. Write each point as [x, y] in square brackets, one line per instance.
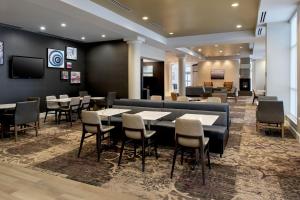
[107, 68]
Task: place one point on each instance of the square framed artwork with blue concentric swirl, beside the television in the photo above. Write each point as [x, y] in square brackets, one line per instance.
[56, 58]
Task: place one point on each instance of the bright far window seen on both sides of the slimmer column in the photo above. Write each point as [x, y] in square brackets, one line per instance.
[188, 76]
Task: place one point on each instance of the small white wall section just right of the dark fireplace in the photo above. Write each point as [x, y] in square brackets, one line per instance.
[259, 74]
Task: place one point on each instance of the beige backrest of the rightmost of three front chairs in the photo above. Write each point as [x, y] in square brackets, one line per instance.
[189, 132]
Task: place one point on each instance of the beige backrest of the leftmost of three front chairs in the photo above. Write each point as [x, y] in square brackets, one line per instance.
[91, 121]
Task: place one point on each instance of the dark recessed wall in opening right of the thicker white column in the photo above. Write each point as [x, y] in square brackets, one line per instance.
[155, 83]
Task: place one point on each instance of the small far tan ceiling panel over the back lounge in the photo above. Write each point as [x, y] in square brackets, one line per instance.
[222, 50]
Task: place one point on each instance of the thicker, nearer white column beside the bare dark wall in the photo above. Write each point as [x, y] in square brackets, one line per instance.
[134, 68]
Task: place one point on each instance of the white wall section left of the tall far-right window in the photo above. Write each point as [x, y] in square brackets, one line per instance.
[278, 62]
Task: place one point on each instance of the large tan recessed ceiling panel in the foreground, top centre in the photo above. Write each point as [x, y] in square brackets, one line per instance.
[187, 17]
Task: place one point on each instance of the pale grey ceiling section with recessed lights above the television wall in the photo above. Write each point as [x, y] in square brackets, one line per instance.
[30, 15]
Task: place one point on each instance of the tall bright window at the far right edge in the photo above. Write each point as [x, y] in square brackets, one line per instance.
[293, 67]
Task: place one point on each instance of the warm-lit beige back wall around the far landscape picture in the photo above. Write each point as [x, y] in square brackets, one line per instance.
[231, 68]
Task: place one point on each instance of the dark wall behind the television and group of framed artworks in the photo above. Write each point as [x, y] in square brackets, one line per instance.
[23, 43]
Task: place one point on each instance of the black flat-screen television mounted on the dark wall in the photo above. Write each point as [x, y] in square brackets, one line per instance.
[27, 67]
